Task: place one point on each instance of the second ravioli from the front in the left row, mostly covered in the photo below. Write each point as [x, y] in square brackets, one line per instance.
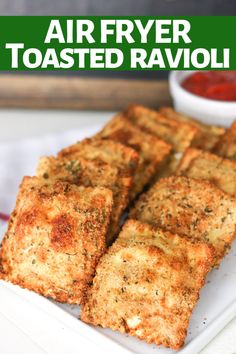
[91, 173]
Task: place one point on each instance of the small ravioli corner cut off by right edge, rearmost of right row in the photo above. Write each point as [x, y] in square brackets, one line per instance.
[226, 145]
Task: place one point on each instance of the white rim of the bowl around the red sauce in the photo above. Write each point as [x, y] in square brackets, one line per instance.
[175, 85]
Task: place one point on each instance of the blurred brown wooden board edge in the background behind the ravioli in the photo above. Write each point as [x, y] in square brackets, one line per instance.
[21, 91]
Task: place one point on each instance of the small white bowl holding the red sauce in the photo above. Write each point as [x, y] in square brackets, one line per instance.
[208, 111]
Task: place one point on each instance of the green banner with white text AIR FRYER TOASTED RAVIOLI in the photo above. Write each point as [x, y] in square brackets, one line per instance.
[117, 43]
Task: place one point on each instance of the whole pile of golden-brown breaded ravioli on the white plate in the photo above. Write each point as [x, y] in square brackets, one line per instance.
[64, 239]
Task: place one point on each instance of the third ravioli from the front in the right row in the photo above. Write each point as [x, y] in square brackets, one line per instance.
[204, 165]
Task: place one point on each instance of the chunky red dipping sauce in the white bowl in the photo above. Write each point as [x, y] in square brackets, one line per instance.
[216, 85]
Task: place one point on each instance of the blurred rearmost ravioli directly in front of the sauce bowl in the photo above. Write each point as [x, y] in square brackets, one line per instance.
[207, 135]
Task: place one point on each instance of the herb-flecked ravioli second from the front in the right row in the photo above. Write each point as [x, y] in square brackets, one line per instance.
[192, 208]
